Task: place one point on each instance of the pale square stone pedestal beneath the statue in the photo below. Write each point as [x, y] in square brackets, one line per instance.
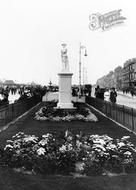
[65, 91]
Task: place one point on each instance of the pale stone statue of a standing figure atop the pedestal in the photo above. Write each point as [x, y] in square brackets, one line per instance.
[64, 57]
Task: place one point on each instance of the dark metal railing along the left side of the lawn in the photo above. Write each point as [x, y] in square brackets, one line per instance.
[11, 111]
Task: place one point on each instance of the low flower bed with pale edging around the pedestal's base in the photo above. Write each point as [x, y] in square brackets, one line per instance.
[48, 113]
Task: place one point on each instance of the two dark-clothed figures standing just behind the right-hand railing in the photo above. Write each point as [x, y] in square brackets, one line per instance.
[99, 93]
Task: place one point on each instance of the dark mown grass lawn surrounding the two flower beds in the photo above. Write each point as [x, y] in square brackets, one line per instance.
[11, 180]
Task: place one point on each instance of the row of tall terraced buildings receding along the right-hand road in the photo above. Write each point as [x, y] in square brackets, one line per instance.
[122, 78]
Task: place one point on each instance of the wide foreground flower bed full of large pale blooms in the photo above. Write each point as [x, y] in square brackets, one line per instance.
[68, 153]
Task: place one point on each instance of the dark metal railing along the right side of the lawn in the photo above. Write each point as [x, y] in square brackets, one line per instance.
[120, 113]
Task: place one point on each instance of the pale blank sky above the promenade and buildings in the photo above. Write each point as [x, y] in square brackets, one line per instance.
[32, 31]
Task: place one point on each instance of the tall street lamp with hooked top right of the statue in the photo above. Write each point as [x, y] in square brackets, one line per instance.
[85, 54]
